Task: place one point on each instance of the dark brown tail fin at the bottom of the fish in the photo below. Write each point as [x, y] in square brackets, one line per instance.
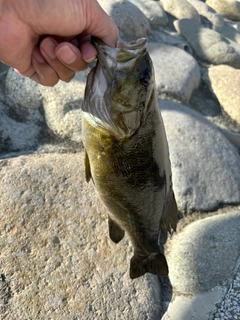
[155, 263]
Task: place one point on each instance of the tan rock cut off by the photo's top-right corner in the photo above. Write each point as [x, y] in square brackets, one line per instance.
[229, 9]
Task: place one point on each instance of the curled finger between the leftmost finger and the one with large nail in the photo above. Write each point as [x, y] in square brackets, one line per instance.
[47, 48]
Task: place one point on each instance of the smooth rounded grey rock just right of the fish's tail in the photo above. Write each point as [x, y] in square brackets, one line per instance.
[204, 254]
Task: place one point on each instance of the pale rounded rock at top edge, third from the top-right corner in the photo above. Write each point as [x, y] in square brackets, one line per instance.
[181, 9]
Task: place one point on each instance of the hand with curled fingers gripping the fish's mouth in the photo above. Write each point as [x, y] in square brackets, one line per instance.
[48, 40]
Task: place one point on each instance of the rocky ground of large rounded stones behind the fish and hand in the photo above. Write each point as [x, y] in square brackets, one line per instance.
[56, 259]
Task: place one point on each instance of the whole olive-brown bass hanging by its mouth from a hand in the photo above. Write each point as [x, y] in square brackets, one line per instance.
[126, 152]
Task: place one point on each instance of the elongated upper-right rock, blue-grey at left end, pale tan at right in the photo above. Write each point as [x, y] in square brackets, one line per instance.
[208, 44]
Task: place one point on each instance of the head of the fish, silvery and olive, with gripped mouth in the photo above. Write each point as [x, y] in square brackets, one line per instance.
[123, 84]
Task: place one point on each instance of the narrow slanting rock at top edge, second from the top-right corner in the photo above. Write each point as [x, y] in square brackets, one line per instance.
[204, 10]
